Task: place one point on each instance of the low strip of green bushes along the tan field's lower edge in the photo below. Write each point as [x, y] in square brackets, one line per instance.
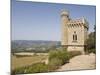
[34, 68]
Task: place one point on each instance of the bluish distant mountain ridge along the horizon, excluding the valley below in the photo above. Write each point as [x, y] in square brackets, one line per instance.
[33, 43]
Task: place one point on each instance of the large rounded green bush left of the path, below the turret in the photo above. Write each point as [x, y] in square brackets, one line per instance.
[61, 55]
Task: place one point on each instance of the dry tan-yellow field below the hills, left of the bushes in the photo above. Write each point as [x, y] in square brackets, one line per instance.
[17, 62]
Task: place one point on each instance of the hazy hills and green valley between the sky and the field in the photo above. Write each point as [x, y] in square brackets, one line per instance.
[33, 45]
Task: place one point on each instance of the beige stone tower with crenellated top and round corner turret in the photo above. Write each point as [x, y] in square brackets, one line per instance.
[74, 32]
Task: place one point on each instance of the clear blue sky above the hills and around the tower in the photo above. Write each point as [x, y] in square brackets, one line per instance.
[42, 21]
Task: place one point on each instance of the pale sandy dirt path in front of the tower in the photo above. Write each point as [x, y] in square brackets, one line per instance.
[80, 62]
